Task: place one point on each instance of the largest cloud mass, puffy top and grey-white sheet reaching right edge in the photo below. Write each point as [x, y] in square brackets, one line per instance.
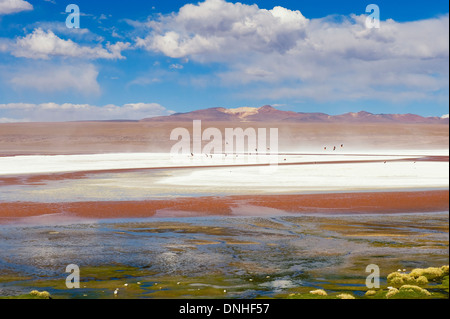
[320, 59]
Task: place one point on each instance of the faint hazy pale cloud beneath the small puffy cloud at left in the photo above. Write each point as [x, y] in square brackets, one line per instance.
[81, 78]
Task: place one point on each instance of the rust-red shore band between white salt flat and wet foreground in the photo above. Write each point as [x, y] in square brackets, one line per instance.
[350, 203]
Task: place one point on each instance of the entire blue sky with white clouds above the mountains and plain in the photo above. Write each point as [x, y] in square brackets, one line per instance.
[135, 59]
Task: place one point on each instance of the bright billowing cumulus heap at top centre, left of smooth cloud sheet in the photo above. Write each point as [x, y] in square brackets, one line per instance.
[215, 29]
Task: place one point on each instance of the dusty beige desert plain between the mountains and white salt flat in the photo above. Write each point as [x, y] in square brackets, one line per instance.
[118, 137]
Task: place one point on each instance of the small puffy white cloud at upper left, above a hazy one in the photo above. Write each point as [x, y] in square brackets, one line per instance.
[42, 44]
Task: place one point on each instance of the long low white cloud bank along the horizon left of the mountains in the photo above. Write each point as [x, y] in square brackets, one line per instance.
[49, 112]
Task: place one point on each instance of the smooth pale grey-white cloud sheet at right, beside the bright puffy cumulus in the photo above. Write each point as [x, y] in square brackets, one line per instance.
[346, 61]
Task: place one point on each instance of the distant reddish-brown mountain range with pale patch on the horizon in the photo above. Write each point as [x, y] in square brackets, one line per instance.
[267, 113]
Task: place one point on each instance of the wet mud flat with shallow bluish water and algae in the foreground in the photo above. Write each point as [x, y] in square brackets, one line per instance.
[219, 257]
